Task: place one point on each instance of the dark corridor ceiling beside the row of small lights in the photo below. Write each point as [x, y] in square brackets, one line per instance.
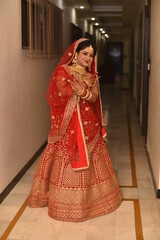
[117, 17]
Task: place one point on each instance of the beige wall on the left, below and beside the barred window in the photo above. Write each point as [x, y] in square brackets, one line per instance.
[24, 113]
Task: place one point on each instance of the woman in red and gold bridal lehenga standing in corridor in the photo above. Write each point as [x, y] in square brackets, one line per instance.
[75, 178]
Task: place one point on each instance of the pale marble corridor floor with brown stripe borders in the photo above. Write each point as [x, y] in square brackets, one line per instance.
[137, 218]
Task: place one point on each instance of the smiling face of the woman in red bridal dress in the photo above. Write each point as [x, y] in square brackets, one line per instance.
[85, 57]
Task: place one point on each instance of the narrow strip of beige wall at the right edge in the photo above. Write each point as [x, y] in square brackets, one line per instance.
[153, 141]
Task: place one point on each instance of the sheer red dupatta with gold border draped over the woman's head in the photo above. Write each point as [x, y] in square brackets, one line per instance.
[64, 106]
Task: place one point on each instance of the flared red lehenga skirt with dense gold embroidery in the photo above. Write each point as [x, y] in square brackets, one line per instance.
[75, 195]
